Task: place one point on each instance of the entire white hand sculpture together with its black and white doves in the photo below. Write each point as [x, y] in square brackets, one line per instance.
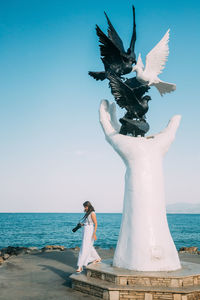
[145, 242]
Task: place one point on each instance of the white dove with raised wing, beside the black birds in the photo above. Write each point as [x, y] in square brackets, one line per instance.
[155, 63]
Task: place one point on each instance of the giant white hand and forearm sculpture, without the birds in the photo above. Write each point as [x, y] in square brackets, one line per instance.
[145, 242]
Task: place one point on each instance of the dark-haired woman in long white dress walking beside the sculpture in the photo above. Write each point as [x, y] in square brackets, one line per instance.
[87, 251]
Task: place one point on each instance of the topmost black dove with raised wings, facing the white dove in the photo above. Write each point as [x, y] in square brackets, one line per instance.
[113, 54]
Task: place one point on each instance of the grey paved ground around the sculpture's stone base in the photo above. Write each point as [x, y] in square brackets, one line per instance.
[44, 276]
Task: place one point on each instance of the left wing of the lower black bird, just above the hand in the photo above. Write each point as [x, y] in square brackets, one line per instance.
[123, 93]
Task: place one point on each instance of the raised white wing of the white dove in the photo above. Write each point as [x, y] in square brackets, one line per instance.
[157, 57]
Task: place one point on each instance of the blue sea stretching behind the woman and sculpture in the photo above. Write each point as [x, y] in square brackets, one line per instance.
[40, 229]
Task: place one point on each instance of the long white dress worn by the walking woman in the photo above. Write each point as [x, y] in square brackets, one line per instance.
[87, 251]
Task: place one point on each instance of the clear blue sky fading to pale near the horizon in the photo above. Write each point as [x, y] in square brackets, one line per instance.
[53, 153]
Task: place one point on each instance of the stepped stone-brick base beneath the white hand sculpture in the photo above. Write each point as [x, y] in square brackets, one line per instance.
[112, 283]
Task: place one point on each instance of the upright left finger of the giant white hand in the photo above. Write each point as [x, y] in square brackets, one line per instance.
[105, 118]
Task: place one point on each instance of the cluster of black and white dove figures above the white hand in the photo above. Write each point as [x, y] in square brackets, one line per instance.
[130, 93]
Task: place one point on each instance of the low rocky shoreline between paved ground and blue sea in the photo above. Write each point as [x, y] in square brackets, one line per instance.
[6, 253]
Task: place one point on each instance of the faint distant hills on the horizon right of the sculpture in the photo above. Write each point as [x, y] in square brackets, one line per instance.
[183, 208]
